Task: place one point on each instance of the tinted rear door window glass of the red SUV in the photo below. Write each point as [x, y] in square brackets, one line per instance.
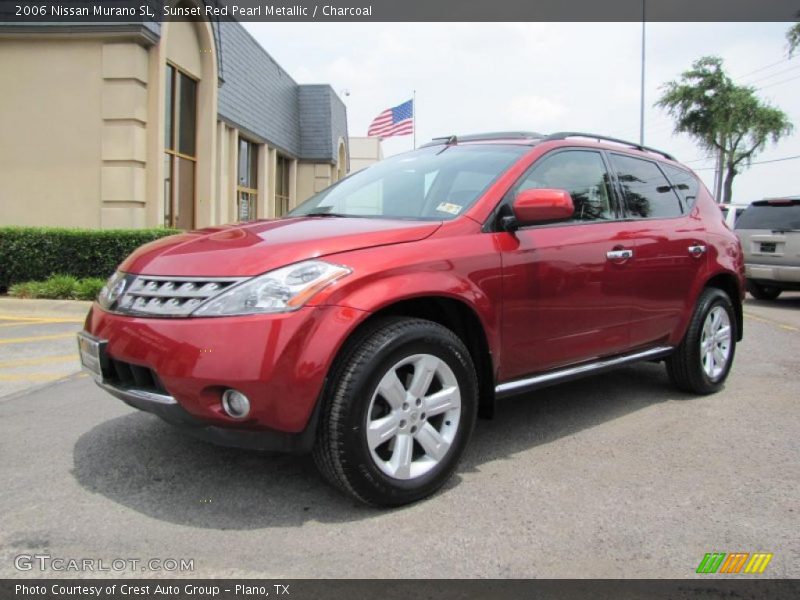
[647, 192]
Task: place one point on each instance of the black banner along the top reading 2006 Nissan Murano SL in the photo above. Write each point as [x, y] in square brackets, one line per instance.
[135, 11]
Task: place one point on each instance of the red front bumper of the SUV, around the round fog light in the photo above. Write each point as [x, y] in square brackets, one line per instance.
[279, 362]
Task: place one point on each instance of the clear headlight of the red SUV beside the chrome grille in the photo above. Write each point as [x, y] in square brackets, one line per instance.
[282, 290]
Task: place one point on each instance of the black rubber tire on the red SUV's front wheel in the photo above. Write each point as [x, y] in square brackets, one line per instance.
[342, 451]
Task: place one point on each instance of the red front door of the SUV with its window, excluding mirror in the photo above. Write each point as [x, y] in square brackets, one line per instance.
[566, 299]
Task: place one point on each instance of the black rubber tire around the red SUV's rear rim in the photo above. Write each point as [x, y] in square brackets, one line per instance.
[686, 367]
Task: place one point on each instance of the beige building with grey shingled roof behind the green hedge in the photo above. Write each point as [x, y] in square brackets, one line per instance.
[182, 124]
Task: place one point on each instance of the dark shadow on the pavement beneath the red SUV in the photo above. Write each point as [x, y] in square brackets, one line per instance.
[146, 465]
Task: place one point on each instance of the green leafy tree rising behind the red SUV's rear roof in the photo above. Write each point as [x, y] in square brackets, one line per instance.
[724, 118]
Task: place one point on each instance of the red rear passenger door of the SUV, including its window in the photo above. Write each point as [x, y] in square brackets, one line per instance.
[667, 235]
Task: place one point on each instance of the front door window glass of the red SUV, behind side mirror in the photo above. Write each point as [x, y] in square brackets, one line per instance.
[583, 174]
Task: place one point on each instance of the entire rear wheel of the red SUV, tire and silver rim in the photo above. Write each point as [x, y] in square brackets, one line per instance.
[702, 361]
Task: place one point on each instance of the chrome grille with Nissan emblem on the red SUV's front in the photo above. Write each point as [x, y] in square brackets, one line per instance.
[169, 296]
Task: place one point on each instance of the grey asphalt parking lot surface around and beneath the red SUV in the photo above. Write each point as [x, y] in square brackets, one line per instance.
[613, 476]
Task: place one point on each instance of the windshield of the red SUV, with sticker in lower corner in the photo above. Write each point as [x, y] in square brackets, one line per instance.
[435, 183]
